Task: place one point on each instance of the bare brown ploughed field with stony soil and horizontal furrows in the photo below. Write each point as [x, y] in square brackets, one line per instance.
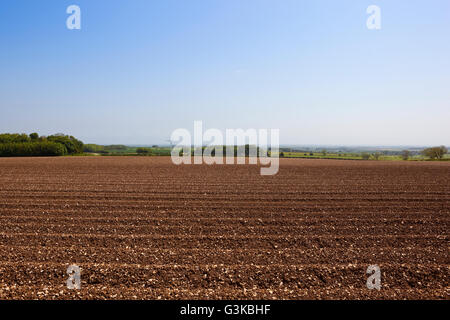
[143, 228]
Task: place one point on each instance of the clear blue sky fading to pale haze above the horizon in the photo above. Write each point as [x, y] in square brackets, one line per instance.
[139, 69]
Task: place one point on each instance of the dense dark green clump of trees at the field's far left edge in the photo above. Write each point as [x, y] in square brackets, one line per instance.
[33, 145]
